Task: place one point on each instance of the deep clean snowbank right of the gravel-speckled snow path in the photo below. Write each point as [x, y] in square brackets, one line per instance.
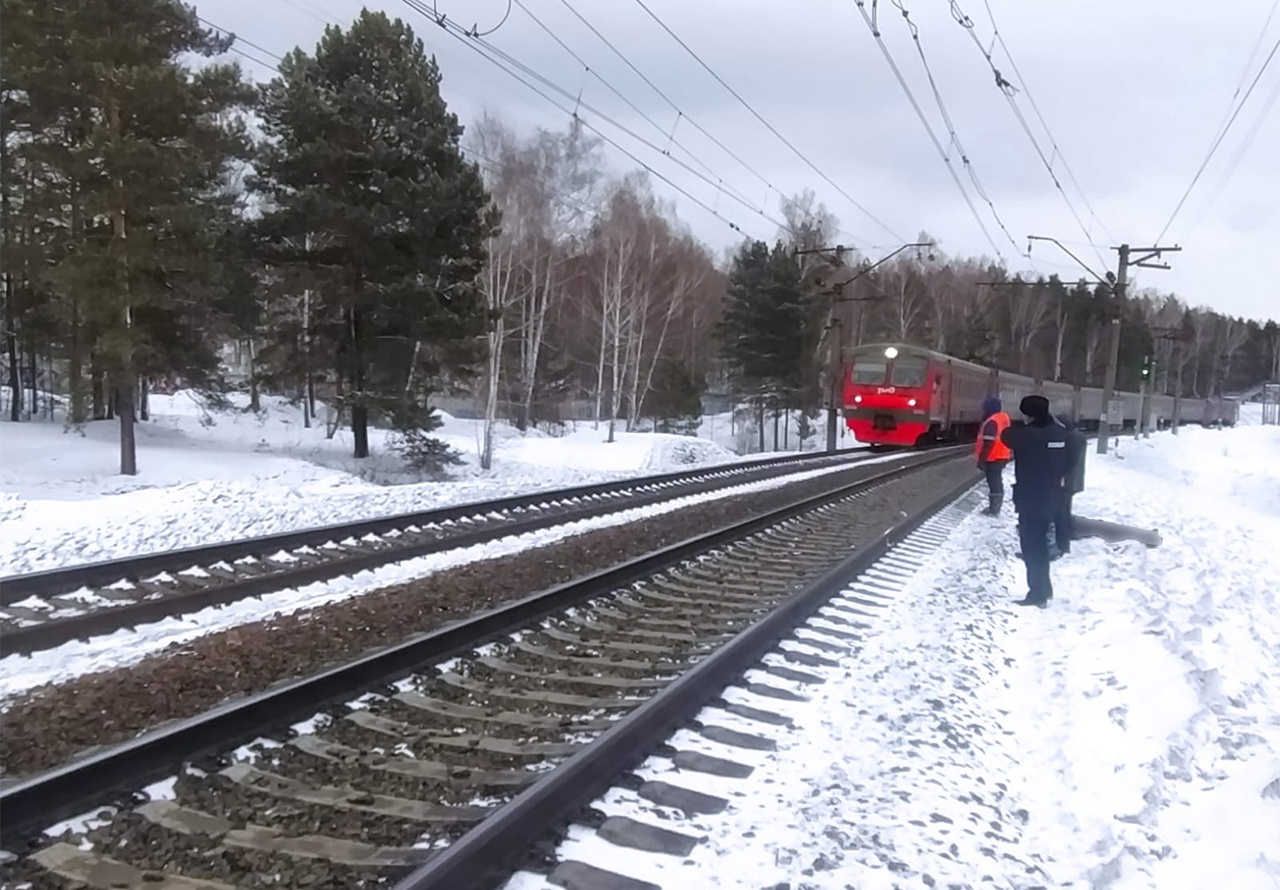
[1155, 686]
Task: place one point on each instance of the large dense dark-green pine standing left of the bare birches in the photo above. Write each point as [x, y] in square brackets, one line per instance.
[371, 198]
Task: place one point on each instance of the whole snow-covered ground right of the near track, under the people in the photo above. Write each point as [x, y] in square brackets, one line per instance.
[1128, 737]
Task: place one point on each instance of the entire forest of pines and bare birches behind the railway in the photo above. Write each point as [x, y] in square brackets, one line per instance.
[341, 229]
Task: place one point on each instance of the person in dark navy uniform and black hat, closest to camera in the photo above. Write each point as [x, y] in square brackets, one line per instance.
[1041, 467]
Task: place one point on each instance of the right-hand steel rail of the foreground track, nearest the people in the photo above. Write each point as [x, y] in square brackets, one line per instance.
[483, 857]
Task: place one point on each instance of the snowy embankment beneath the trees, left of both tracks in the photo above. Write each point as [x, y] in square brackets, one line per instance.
[212, 477]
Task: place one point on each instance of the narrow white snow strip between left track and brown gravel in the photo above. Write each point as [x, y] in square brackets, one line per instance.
[126, 647]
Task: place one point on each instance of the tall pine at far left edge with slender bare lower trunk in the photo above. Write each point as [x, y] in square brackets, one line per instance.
[131, 154]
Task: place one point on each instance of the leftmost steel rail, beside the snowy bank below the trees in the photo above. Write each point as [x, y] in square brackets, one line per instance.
[15, 588]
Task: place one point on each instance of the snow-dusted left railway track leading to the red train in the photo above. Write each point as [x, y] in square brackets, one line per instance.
[44, 610]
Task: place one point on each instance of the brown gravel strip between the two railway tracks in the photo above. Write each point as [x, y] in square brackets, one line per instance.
[52, 724]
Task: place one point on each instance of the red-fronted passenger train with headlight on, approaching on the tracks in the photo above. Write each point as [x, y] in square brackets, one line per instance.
[900, 395]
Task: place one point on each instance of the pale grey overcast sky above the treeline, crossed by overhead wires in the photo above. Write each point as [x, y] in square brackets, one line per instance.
[1133, 92]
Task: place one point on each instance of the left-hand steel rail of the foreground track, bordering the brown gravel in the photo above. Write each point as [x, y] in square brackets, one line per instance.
[33, 804]
